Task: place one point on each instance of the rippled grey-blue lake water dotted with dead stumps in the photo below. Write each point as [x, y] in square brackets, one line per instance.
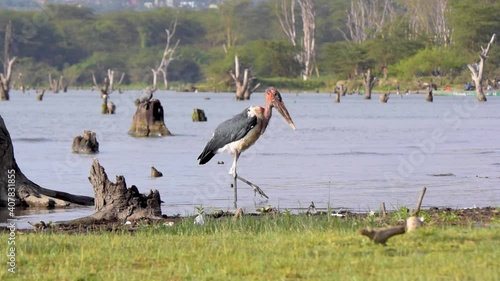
[352, 155]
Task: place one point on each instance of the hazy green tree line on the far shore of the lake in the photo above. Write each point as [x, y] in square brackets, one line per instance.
[404, 41]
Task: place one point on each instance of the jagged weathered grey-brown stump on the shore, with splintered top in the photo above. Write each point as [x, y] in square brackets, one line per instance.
[114, 202]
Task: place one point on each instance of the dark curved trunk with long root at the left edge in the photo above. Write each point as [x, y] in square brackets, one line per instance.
[16, 188]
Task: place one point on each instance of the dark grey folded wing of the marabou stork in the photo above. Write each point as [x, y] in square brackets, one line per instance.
[228, 131]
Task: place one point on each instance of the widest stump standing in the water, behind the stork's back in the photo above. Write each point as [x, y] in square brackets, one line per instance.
[148, 120]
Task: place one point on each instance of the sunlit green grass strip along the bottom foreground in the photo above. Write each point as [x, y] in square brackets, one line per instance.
[282, 248]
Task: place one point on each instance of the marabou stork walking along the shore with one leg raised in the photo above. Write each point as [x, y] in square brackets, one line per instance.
[237, 134]
